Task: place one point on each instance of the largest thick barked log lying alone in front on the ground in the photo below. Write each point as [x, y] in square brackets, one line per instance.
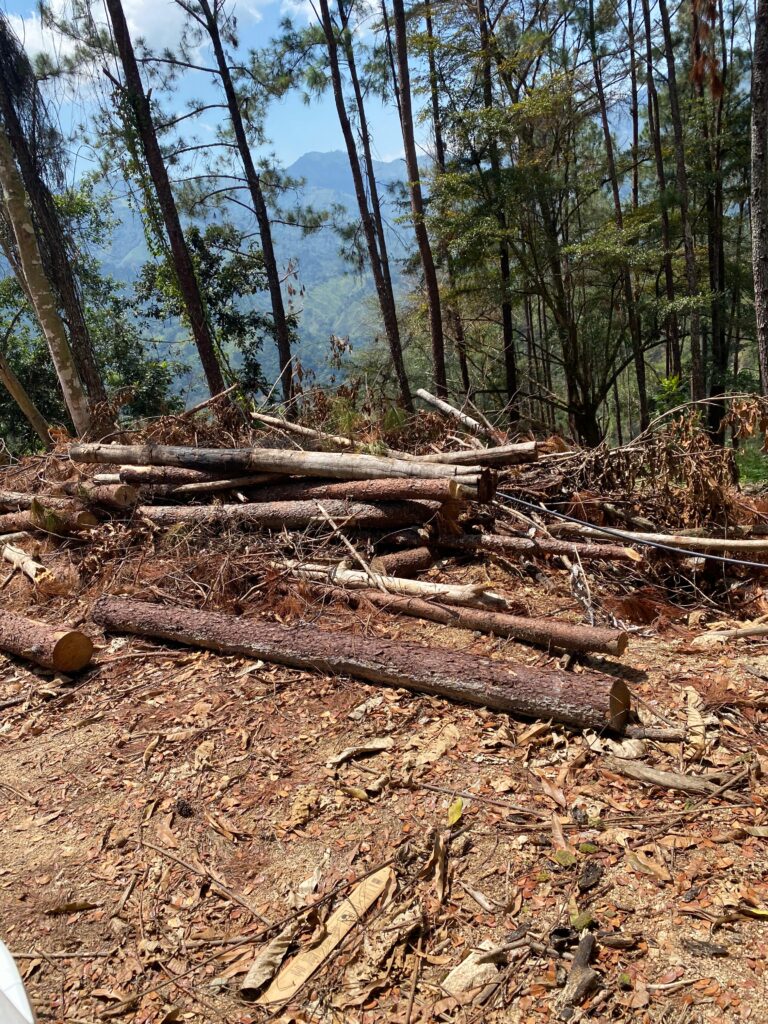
[588, 700]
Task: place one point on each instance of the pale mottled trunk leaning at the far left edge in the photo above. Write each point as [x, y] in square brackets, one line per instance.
[39, 288]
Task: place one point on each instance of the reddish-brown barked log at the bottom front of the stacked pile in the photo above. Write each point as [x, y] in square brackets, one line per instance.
[276, 516]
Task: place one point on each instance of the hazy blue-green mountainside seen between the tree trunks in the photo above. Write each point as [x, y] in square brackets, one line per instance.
[330, 297]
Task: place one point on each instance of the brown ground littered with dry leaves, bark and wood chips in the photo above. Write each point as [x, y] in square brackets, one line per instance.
[169, 812]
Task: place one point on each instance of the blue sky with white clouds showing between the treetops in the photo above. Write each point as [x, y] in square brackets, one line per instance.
[293, 127]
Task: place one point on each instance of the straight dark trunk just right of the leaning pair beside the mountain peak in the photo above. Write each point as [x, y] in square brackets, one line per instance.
[417, 202]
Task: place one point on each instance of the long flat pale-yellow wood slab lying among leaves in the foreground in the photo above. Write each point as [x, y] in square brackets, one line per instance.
[304, 966]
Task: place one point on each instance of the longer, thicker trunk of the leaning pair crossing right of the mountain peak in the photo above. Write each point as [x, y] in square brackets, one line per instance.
[386, 295]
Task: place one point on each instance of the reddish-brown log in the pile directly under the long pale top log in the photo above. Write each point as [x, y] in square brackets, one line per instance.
[393, 489]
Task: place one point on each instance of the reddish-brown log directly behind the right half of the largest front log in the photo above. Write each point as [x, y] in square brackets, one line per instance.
[543, 632]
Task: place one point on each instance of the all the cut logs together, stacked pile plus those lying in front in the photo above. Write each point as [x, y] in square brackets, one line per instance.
[408, 510]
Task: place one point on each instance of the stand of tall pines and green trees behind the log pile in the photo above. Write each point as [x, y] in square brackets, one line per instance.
[584, 212]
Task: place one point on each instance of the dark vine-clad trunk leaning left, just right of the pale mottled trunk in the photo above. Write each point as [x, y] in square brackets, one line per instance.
[183, 263]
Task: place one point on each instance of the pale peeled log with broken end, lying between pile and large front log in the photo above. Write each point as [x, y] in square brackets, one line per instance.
[338, 576]
